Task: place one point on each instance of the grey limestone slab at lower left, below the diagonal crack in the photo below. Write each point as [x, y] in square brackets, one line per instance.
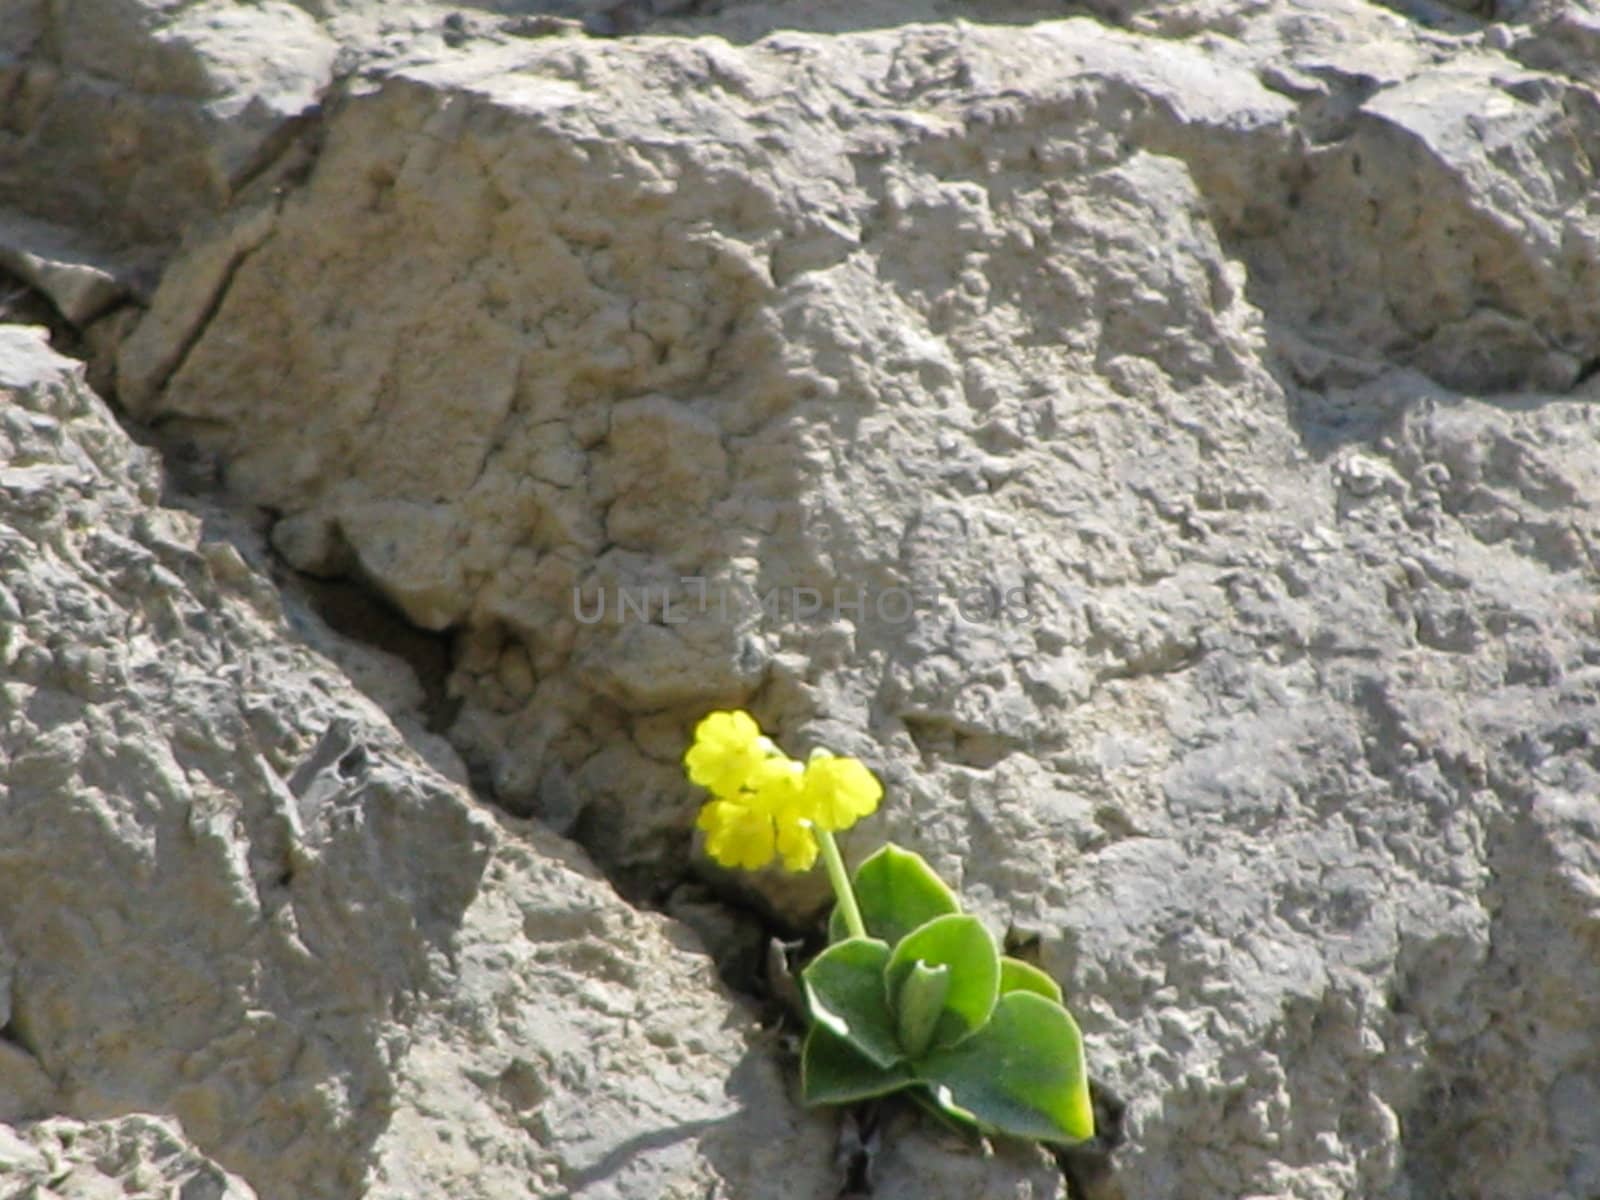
[233, 895]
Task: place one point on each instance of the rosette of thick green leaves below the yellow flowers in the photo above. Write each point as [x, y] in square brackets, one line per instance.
[927, 1002]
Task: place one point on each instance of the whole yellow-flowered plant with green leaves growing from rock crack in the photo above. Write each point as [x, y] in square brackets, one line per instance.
[911, 993]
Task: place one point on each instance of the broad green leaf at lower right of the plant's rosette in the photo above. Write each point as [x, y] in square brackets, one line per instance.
[1022, 1074]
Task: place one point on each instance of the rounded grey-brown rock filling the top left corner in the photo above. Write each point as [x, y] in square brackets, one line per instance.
[132, 119]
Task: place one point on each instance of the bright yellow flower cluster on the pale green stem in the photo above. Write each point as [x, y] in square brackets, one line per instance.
[767, 806]
